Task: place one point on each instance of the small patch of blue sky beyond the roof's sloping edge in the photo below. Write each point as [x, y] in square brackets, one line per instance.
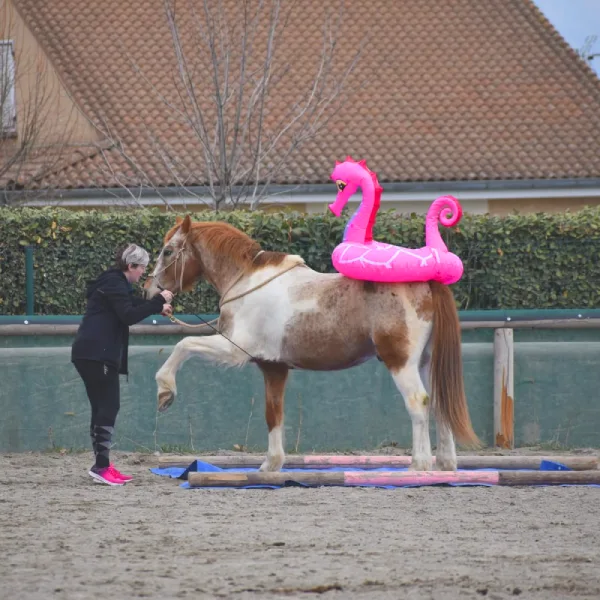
[575, 20]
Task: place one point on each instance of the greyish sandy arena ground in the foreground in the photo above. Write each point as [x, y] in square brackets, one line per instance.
[64, 537]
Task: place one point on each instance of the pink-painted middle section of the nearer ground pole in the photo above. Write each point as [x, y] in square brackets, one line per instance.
[352, 478]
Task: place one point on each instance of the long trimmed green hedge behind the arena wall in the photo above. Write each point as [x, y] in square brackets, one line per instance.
[531, 261]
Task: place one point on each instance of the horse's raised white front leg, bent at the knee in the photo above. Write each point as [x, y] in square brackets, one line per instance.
[217, 349]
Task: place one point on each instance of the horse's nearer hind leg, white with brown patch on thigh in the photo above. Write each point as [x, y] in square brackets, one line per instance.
[402, 359]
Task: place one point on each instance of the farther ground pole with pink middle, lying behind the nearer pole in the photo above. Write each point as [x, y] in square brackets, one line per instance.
[576, 463]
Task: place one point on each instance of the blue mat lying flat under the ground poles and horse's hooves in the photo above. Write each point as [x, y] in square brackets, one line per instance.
[202, 467]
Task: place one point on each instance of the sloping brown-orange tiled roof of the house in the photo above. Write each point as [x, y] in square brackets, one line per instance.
[460, 90]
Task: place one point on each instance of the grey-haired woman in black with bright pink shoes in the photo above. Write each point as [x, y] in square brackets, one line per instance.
[99, 351]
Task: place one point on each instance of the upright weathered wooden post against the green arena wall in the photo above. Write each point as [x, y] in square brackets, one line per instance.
[504, 410]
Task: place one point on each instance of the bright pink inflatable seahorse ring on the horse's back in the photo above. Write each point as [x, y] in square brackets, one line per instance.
[360, 257]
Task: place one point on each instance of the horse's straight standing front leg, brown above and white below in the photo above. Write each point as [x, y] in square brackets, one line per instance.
[275, 375]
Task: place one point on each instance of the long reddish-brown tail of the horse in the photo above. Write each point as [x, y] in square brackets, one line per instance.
[447, 382]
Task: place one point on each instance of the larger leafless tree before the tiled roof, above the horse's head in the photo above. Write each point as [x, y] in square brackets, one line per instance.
[228, 79]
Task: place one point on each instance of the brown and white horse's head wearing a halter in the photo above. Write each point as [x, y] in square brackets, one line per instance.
[178, 266]
